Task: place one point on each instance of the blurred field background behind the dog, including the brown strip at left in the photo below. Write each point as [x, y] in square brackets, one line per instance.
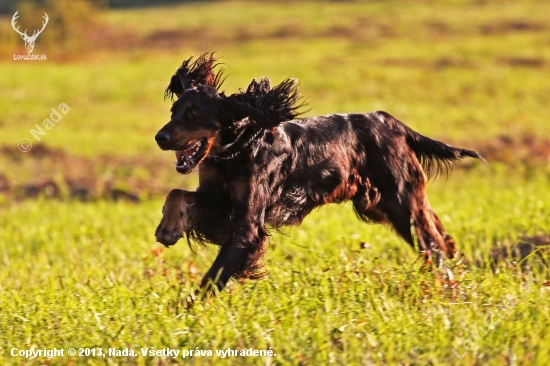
[471, 73]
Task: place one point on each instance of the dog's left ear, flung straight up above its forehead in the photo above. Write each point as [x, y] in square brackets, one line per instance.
[194, 73]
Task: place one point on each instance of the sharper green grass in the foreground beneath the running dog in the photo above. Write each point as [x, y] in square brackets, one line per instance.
[83, 275]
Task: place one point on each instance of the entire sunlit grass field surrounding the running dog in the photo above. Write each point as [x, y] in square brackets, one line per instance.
[89, 274]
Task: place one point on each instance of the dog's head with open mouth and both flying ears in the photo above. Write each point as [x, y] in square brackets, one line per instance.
[201, 112]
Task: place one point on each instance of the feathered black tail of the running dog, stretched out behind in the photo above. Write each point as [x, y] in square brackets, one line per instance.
[435, 157]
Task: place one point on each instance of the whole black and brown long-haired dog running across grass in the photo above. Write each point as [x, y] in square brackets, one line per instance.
[259, 165]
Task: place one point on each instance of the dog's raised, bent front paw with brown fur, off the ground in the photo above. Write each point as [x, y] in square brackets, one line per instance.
[173, 222]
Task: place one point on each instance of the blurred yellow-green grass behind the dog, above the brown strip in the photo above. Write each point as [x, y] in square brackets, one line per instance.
[441, 69]
